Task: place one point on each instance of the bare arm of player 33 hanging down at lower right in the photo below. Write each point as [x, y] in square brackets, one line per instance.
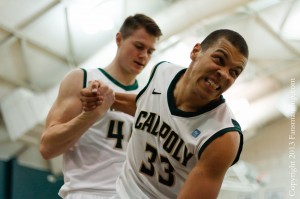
[205, 179]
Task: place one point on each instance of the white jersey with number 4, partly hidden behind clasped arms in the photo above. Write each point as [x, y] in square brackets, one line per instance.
[95, 161]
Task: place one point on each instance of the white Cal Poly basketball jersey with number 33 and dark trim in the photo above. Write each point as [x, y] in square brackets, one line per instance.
[167, 142]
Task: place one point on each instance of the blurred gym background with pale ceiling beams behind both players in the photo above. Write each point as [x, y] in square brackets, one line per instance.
[42, 40]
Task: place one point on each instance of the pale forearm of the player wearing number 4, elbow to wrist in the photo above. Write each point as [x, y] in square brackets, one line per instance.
[59, 137]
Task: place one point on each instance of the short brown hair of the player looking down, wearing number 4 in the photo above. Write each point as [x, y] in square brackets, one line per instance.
[137, 21]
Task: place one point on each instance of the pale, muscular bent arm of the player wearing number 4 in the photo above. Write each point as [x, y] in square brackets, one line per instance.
[66, 122]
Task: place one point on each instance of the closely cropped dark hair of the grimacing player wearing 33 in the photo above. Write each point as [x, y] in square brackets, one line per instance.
[233, 37]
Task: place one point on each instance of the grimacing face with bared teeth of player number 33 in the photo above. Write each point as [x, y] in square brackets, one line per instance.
[216, 69]
